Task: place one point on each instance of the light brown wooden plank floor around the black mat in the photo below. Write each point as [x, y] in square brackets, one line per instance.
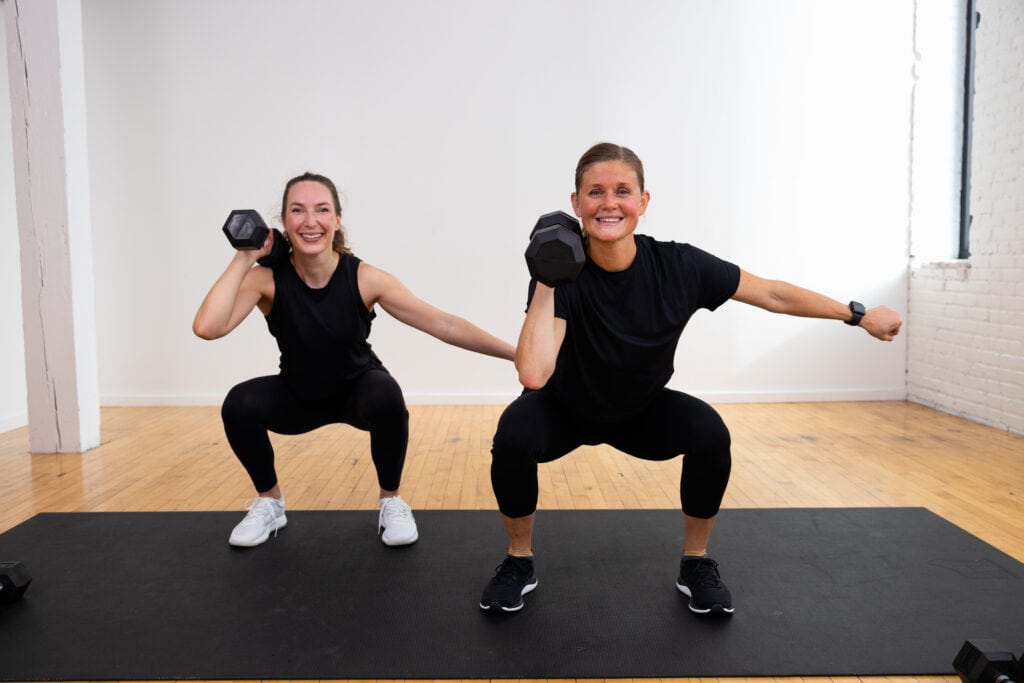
[785, 455]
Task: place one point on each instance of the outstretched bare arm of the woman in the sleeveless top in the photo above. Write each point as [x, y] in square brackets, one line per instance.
[377, 286]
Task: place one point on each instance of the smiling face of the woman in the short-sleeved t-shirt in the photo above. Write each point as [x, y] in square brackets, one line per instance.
[610, 201]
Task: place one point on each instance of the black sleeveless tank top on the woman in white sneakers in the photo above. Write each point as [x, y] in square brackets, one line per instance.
[322, 333]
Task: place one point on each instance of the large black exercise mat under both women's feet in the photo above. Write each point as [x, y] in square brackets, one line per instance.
[819, 592]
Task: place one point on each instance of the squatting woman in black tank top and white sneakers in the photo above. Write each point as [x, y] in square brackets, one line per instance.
[319, 305]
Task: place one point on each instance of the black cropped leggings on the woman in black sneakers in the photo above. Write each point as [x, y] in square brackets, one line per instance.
[537, 429]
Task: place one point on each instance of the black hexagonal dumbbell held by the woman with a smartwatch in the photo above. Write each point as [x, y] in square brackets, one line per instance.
[556, 255]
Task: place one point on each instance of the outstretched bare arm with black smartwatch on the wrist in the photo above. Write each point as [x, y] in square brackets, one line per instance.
[781, 297]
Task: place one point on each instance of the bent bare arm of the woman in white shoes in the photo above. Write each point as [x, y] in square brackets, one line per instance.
[237, 292]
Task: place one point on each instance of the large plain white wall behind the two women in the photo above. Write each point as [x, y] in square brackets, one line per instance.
[775, 135]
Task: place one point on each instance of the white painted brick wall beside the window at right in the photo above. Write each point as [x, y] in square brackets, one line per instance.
[966, 320]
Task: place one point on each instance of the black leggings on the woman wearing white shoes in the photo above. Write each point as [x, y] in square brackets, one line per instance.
[372, 403]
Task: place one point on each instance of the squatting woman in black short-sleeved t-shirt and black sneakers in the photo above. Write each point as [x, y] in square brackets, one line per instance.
[595, 357]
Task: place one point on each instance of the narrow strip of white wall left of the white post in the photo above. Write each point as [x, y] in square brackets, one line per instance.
[14, 397]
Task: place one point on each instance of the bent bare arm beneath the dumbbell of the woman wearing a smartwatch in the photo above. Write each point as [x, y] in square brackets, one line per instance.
[540, 339]
